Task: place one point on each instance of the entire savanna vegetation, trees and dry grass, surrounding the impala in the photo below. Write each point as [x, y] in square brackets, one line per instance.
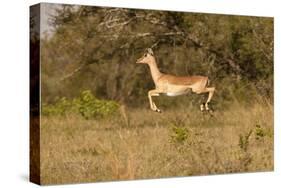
[96, 124]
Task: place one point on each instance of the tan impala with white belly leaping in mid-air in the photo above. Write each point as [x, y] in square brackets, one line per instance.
[174, 85]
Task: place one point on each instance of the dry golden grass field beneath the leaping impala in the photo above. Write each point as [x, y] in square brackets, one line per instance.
[139, 143]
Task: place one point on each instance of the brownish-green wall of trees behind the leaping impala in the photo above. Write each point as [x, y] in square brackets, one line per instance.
[96, 48]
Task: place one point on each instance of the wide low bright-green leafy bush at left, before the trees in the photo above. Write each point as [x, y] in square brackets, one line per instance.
[86, 105]
